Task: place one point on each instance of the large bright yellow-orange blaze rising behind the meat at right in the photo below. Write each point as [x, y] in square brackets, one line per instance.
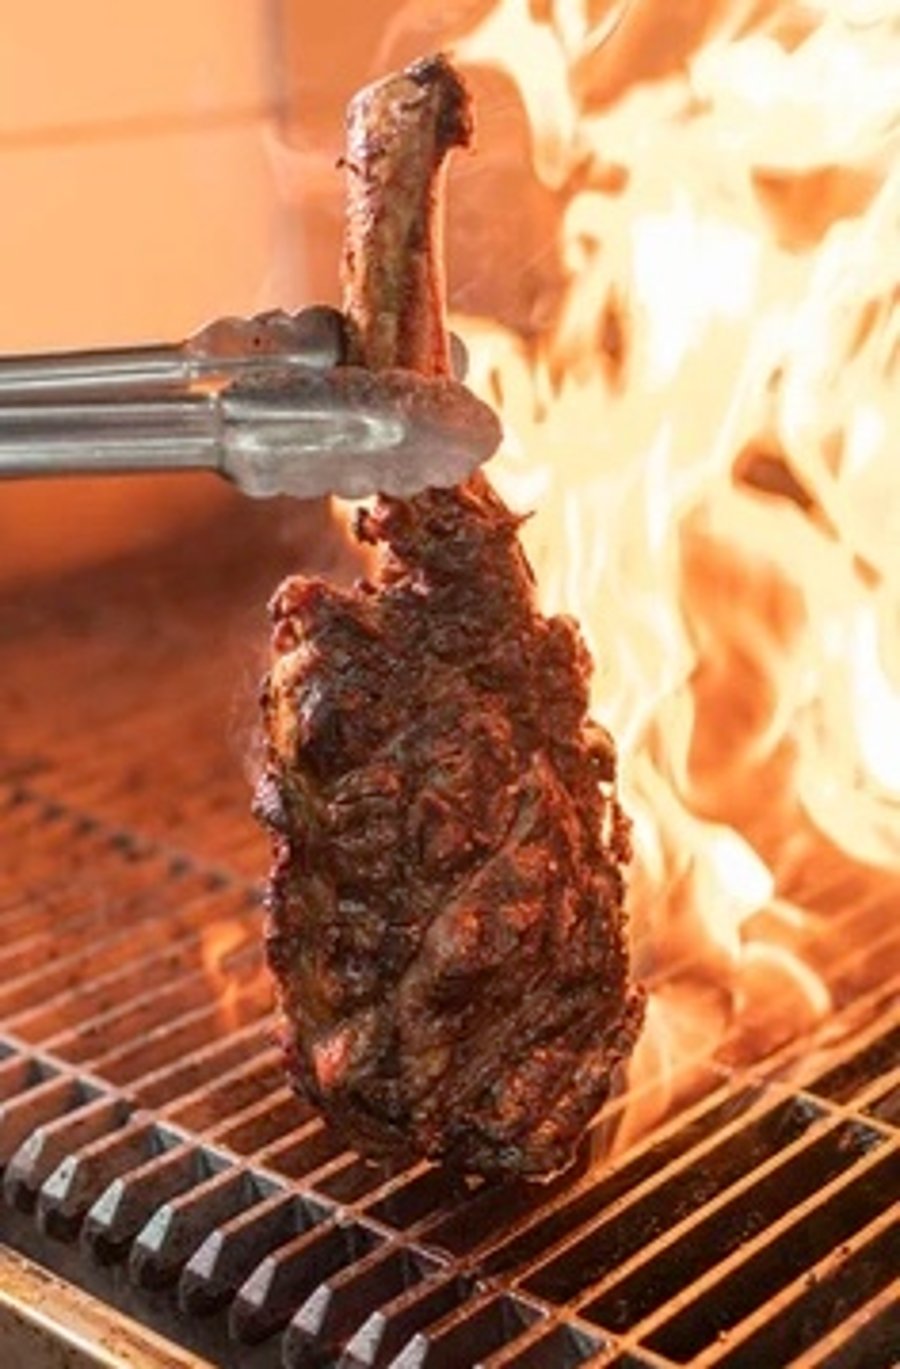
[706, 435]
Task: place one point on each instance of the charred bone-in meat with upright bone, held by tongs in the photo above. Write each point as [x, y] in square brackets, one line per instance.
[446, 906]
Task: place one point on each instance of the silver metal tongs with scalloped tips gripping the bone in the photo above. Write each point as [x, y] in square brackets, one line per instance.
[265, 402]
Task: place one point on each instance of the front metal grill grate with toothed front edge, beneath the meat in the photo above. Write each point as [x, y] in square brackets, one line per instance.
[149, 1141]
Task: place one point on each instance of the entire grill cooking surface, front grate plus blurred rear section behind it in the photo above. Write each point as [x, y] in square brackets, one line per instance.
[153, 1156]
